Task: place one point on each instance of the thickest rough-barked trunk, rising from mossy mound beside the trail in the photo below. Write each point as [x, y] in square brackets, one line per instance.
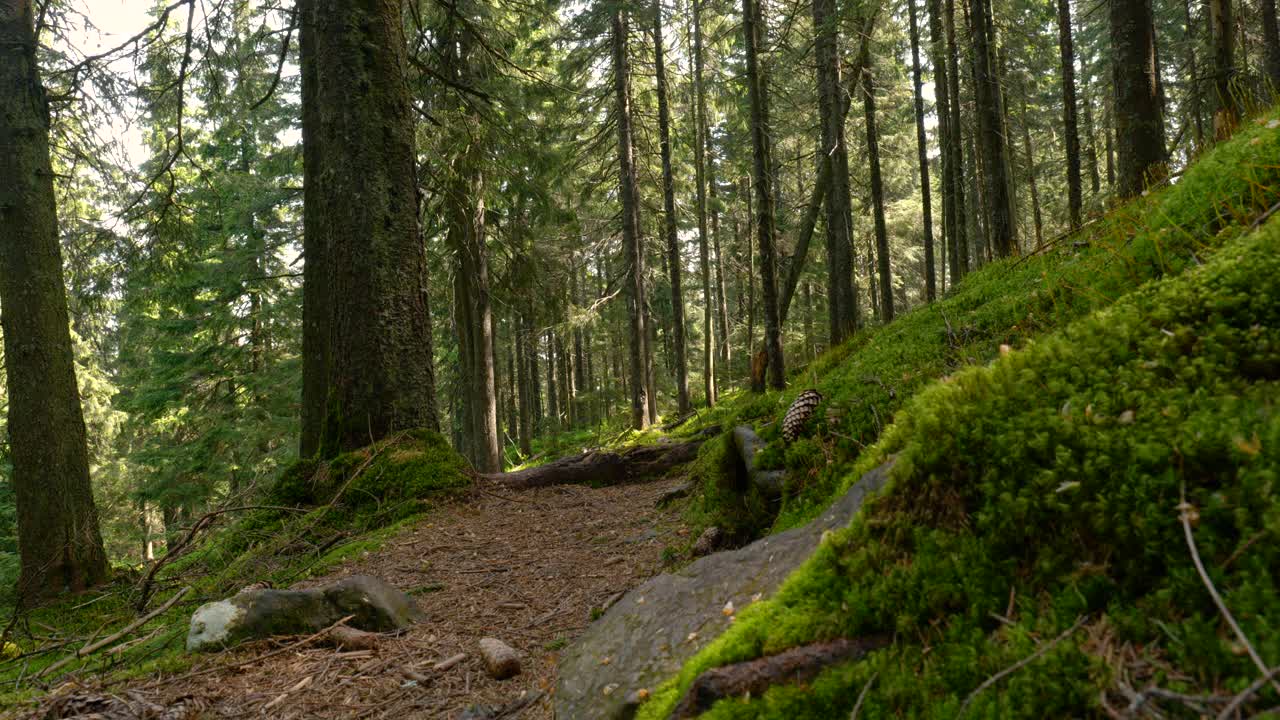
[367, 325]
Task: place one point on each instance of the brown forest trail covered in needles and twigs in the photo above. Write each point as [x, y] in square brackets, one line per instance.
[525, 567]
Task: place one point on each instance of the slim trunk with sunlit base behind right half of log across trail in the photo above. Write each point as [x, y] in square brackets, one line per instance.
[632, 243]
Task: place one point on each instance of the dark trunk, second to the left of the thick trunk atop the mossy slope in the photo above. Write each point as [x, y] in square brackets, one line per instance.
[995, 188]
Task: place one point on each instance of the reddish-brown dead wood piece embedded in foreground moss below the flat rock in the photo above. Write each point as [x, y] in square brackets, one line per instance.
[755, 677]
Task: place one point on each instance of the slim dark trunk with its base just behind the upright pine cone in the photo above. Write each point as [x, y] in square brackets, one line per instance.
[753, 20]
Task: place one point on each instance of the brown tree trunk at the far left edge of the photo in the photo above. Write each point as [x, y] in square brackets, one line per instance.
[60, 543]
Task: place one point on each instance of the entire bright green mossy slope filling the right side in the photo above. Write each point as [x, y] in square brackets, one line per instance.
[1045, 487]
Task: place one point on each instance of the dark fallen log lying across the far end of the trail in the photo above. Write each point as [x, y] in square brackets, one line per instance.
[604, 468]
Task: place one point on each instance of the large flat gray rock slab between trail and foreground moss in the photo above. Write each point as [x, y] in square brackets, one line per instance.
[646, 639]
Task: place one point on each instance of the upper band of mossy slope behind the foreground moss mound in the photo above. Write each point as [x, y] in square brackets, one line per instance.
[867, 380]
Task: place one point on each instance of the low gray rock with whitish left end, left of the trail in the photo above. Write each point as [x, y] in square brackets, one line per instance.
[259, 613]
